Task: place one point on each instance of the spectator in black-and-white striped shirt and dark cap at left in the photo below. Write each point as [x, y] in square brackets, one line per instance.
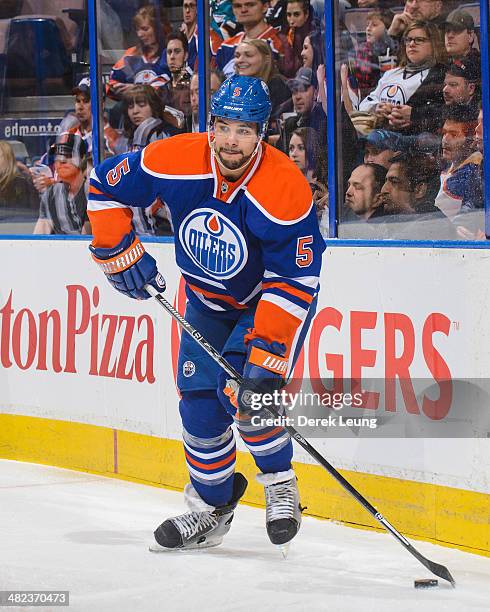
[63, 208]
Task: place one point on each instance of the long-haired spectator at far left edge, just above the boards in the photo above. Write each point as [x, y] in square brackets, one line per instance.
[17, 192]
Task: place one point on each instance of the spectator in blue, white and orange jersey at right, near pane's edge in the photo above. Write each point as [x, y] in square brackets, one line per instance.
[460, 189]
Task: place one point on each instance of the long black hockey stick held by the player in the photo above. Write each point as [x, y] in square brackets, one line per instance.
[435, 568]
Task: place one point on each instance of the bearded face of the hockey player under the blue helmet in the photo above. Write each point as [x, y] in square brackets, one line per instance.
[234, 142]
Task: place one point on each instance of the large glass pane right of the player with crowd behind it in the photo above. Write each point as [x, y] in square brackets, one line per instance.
[411, 89]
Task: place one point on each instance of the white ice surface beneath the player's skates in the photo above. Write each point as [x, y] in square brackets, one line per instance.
[89, 535]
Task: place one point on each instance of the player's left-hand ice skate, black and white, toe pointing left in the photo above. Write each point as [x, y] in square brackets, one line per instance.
[203, 527]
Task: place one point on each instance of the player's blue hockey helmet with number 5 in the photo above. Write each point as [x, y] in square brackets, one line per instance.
[244, 98]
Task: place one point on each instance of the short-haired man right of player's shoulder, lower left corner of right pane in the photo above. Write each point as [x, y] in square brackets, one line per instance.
[362, 198]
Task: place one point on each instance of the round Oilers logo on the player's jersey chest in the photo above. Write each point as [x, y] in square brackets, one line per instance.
[213, 243]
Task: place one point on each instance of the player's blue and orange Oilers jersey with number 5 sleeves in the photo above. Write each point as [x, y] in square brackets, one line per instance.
[254, 241]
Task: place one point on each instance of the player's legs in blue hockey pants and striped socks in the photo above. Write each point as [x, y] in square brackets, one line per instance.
[209, 442]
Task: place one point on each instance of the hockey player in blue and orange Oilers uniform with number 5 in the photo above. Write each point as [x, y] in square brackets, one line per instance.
[249, 248]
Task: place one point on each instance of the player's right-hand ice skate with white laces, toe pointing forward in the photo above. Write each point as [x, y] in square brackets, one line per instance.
[283, 510]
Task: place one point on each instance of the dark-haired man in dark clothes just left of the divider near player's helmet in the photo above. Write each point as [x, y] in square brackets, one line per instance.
[176, 92]
